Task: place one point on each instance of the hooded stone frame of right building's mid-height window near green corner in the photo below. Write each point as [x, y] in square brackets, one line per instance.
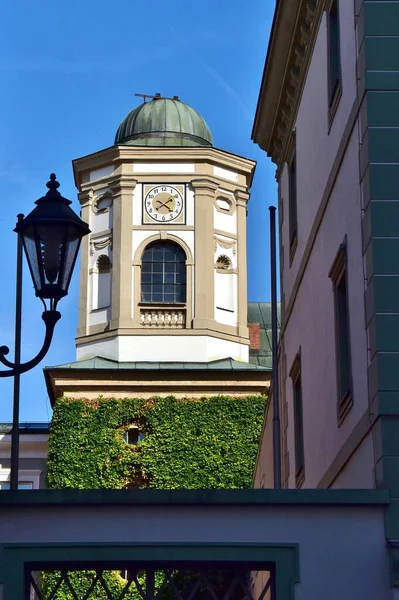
[338, 274]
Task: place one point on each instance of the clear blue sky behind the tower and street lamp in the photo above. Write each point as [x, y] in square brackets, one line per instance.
[69, 73]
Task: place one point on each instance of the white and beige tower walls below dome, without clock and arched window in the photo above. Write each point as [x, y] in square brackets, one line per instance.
[204, 231]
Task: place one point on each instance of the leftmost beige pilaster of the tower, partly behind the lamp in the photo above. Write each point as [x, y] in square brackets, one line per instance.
[86, 202]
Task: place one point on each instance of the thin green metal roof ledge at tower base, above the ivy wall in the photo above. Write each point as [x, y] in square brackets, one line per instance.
[98, 363]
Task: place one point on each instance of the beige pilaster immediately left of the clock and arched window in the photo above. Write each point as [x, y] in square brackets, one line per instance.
[121, 297]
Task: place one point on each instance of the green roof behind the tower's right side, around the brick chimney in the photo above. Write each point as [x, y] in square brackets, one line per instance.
[261, 312]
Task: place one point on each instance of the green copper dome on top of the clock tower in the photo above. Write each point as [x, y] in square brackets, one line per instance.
[164, 122]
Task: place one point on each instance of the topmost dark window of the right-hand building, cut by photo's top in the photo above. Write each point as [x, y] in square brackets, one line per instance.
[334, 88]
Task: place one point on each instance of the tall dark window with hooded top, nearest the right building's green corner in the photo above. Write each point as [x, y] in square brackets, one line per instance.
[338, 276]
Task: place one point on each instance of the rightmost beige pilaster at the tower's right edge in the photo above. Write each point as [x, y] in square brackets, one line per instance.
[242, 313]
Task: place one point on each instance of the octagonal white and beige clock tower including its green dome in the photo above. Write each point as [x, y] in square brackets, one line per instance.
[163, 272]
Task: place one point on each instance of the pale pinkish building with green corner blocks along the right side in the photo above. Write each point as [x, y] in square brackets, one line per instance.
[327, 116]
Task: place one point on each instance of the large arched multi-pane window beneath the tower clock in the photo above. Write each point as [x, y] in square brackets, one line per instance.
[162, 303]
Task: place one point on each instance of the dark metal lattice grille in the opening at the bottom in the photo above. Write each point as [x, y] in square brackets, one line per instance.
[132, 582]
